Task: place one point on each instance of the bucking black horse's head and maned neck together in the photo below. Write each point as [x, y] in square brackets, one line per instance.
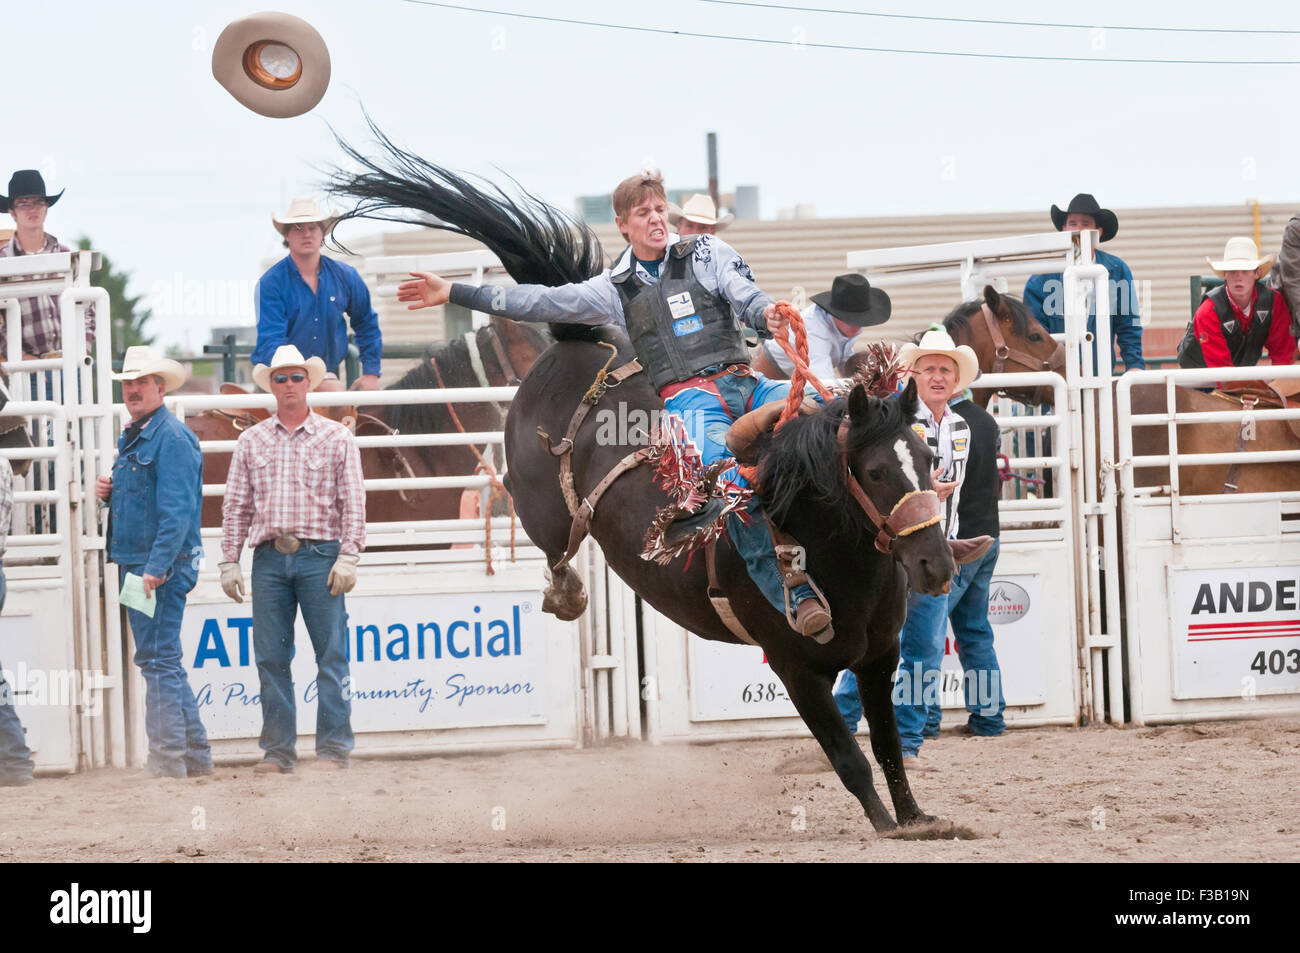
[860, 474]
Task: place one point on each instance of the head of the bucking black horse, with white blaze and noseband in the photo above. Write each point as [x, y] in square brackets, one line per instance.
[890, 469]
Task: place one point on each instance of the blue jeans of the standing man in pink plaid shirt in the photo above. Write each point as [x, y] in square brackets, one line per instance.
[281, 584]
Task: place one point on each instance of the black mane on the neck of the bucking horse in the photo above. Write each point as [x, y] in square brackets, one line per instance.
[801, 462]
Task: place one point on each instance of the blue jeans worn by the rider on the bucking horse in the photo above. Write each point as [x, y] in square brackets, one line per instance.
[708, 417]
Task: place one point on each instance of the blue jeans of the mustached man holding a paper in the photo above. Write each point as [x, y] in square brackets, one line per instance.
[179, 746]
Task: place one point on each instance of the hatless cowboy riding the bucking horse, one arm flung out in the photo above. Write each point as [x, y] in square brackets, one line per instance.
[683, 330]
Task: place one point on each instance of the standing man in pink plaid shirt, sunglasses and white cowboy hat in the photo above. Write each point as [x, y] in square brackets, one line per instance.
[296, 496]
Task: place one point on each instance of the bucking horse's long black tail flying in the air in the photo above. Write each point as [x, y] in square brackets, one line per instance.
[538, 244]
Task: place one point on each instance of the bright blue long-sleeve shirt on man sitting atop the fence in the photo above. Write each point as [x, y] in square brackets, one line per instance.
[289, 313]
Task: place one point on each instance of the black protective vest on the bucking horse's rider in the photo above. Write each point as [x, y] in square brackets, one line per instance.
[677, 326]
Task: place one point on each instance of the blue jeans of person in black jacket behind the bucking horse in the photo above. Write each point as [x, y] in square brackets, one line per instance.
[968, 610]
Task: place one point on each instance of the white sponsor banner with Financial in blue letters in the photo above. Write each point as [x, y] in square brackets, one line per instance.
[418, 662]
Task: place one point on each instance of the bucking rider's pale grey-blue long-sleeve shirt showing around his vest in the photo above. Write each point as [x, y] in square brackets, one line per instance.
[595, 302]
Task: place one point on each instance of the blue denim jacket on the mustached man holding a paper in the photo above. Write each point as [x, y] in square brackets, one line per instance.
[158, 495]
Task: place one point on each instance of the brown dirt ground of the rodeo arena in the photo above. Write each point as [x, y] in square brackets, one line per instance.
[1217, 791]
